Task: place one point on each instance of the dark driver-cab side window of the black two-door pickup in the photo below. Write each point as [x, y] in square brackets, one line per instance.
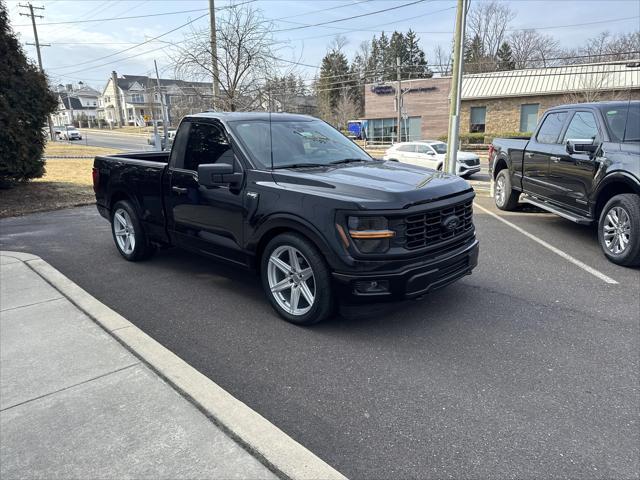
[207, 144]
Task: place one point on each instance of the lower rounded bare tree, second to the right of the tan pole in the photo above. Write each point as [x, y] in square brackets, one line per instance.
[532, 49]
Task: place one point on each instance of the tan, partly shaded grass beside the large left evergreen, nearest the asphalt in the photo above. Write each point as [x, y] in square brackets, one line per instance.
[67, 183]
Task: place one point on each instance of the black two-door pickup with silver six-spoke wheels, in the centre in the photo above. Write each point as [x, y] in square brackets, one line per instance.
[293, 198]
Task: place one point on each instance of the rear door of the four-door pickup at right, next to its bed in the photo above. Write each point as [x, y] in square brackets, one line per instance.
[537, 156]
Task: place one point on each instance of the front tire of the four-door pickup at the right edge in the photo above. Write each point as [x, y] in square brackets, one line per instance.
[628, 203]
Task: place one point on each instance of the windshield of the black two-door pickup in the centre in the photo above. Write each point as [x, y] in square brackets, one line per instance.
[296, 143]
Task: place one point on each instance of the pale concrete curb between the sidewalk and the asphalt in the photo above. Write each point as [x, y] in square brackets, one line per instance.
[274, 448]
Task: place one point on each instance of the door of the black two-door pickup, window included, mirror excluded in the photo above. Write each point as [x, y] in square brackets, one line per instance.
[207, 219]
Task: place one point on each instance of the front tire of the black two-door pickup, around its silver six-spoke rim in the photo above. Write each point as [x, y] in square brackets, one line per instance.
[323, 304]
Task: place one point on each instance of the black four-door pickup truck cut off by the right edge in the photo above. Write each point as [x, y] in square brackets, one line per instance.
[582, 163]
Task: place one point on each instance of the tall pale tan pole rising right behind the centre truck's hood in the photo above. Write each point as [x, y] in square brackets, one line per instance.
[456, 87]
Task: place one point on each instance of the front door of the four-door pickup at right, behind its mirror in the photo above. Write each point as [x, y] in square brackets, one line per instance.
[571, 174]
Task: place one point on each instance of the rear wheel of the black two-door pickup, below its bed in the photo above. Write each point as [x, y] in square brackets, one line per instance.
[128, 234]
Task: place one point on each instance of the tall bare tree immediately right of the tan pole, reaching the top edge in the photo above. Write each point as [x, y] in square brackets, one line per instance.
[489, 21]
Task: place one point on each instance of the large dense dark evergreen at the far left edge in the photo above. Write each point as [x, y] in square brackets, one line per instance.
[25, 104]
